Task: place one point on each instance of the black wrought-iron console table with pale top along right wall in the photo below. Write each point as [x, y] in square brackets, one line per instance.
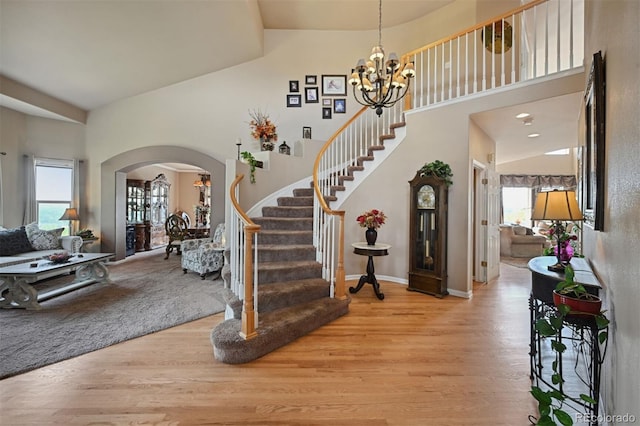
[584, 355]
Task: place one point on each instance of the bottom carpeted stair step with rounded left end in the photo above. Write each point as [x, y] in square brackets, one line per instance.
[275, 329]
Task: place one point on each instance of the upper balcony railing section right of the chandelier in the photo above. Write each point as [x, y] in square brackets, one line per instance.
[535, 40]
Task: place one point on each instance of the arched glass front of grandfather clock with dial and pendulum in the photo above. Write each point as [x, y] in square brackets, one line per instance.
[426, 228]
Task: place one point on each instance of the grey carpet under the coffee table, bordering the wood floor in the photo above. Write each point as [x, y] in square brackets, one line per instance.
[148, 294]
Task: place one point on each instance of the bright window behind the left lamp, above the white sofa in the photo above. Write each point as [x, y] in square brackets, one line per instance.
[54, 192]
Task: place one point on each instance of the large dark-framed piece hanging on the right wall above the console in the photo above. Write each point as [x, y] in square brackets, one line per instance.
[593, 151]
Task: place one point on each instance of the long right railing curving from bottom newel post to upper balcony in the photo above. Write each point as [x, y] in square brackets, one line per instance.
[535, 40]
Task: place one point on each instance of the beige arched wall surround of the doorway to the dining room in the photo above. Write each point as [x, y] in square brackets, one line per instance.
[113, 175]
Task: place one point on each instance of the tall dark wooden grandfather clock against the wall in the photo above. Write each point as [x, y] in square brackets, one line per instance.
[428, 235]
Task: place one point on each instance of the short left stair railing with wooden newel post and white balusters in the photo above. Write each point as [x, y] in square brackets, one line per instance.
[244, 262]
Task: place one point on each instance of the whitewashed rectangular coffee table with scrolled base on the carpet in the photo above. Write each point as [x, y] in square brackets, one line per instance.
[17, 291]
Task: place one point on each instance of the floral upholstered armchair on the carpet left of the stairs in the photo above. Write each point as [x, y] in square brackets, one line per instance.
[204, 255]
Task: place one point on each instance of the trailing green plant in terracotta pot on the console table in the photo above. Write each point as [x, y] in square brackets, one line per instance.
[569, 297]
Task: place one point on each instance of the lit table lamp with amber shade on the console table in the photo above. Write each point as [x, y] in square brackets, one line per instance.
[557, 206]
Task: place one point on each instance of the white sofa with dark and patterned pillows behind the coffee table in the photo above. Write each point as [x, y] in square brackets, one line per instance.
[28, 243]
